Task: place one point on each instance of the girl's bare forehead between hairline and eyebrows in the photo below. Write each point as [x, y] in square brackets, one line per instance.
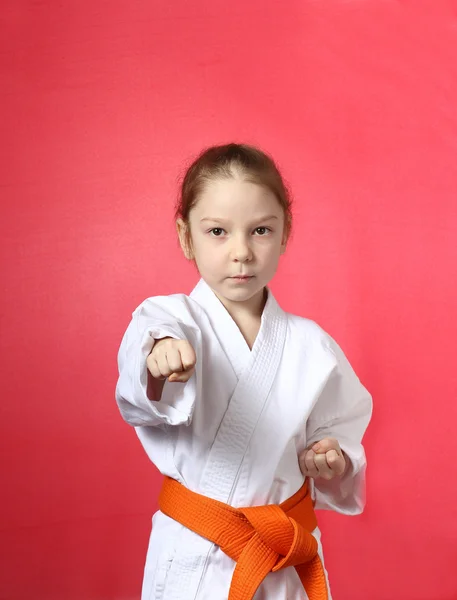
[227, 197]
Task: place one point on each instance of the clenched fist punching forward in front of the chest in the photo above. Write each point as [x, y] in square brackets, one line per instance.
[172, 359]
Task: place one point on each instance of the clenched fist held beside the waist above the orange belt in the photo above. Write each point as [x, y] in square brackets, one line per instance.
[323, 459]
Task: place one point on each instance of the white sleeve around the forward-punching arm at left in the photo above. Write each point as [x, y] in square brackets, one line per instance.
[156, 318]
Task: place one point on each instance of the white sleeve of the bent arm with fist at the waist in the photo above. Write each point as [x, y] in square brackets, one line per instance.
[343, 412]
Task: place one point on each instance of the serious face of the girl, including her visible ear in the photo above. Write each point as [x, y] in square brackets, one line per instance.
[237, 235]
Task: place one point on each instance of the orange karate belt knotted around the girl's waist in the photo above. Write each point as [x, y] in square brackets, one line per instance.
[260, 539]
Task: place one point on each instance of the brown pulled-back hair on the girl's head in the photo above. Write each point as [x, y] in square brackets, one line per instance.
[227, 162]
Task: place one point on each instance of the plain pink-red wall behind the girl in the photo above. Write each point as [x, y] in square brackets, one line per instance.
[103, 102]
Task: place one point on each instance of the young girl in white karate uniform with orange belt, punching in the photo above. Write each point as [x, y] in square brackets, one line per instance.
[254, 415]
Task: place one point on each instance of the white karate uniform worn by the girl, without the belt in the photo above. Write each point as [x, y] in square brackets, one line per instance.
[234, 431]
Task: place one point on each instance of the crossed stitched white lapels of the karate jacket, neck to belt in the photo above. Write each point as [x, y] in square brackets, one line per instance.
[256, 371]
